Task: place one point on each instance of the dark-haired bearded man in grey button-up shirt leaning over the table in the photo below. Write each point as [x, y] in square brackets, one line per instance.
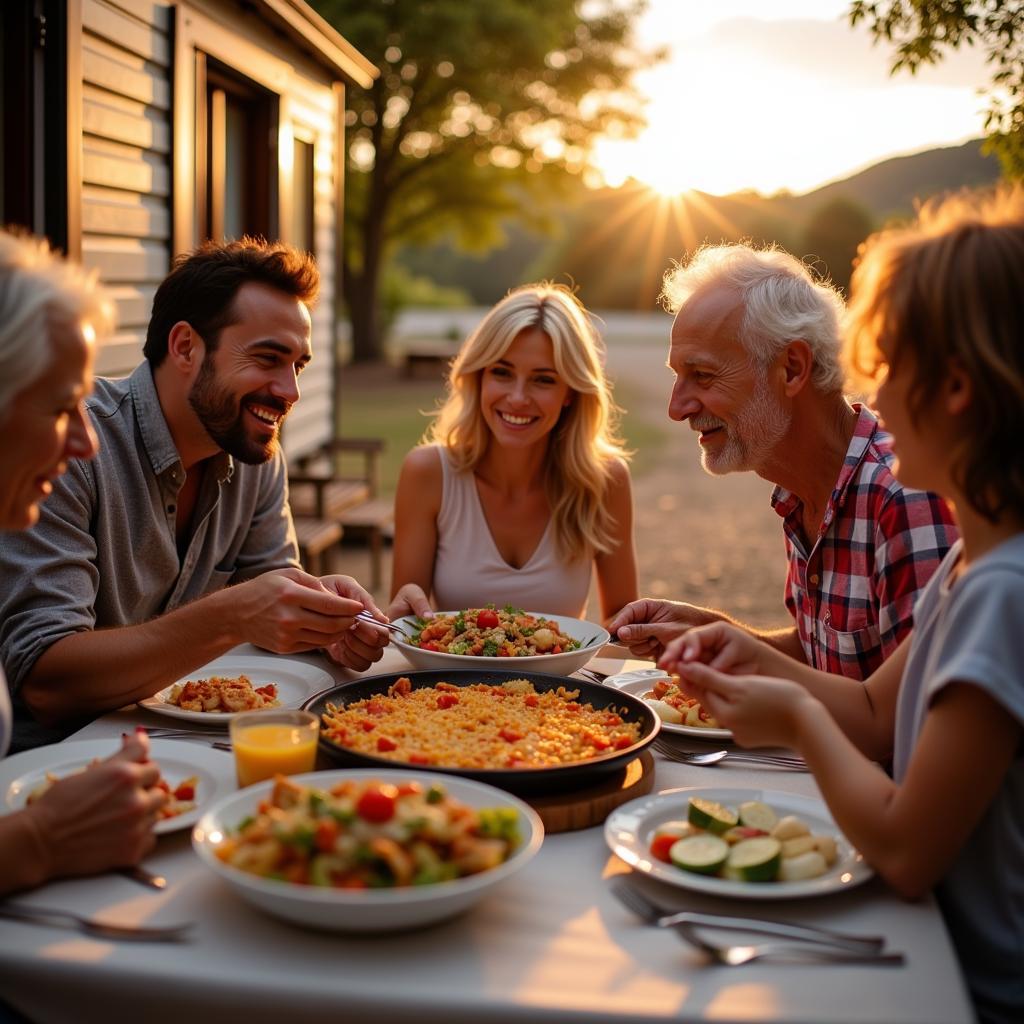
[177, 543]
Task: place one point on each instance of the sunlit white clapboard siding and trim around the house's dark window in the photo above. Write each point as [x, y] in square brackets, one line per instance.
[127, 153]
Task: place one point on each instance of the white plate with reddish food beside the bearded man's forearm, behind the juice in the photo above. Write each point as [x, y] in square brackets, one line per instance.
[218, 692]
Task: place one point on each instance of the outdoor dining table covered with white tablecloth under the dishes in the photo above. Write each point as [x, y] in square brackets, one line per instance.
[551, 945]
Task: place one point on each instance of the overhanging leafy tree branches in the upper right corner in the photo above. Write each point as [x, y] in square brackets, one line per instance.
[923, 30]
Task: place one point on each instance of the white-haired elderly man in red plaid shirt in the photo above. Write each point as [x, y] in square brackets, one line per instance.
[756, 354]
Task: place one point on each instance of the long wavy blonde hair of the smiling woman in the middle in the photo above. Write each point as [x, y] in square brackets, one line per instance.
[584, 445]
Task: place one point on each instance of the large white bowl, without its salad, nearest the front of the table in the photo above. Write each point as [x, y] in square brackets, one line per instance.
[373, 910]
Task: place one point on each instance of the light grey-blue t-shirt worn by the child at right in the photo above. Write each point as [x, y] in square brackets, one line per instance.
[972, 631]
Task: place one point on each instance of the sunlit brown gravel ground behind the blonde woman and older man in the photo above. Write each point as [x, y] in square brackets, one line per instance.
[712, 541]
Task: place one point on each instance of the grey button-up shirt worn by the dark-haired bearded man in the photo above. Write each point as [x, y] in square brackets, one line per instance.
[104, 552]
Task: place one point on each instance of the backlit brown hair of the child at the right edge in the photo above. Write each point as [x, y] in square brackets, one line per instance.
[949, 290]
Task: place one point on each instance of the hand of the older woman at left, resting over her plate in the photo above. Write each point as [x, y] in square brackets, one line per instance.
[100, 819]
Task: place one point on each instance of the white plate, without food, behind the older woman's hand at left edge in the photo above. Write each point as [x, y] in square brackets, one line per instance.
[22, 774]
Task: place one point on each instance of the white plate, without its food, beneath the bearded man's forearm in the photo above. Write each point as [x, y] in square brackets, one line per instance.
[296, 682]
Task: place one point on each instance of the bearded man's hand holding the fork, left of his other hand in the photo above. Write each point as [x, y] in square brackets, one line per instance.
[288, 611]
